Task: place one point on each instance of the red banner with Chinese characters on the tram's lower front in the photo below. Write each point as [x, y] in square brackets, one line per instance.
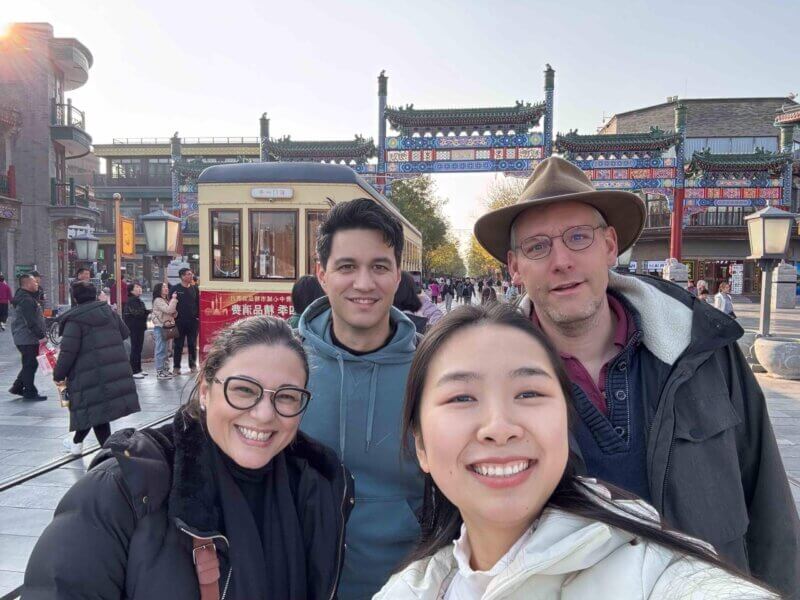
[218, 309]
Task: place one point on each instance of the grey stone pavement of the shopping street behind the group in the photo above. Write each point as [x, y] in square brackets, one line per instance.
[31, 435]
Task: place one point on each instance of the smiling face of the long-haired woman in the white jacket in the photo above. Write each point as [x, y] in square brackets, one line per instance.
[493, 426]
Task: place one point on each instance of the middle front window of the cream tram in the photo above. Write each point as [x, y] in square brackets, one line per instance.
[273, 244]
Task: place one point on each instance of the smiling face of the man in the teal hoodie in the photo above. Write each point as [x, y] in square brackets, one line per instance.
[360, 279]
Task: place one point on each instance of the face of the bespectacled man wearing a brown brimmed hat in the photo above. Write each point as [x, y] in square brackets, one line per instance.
[567, 286]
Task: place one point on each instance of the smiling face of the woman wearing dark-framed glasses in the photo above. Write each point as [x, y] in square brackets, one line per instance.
[251, 438]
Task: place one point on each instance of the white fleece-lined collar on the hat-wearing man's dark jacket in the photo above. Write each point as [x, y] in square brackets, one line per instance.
[670, 316]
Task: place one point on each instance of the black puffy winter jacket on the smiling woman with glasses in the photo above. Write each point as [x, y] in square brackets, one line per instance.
[125, 529]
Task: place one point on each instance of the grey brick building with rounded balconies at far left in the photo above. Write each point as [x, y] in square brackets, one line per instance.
[42, 132]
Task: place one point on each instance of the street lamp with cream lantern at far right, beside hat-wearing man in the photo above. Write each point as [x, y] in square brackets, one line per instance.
[769, 231]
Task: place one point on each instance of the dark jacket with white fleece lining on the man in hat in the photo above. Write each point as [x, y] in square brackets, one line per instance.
[713, 466]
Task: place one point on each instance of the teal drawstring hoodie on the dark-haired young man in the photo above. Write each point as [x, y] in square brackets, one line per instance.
[356, 409]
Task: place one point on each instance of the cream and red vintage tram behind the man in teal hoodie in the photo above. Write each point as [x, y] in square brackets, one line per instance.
[258, 233]
